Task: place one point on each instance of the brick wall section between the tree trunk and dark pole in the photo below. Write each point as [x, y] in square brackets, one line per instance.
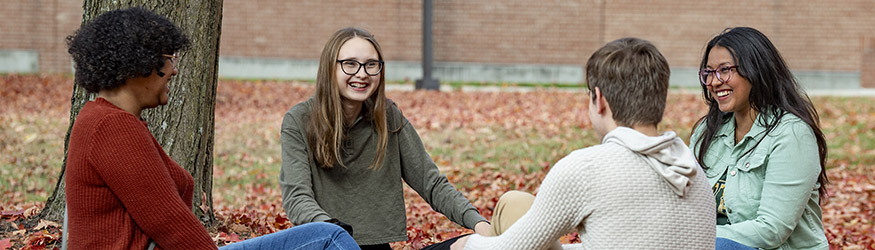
[299, 29]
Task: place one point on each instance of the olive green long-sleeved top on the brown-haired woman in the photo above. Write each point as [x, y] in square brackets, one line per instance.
[372, 201]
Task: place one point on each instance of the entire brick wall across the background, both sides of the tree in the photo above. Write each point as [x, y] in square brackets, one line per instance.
[820, 35]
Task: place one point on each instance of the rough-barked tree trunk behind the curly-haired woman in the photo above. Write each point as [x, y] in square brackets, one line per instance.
[184, 126]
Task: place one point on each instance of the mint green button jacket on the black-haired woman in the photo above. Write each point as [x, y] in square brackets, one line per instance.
[771, 193]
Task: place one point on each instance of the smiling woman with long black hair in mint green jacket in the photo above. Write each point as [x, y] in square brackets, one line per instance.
[760, 145]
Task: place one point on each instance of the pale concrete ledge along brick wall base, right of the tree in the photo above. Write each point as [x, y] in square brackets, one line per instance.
[235, 67]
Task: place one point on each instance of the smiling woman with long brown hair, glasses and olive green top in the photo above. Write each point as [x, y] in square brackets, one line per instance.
[347, 148]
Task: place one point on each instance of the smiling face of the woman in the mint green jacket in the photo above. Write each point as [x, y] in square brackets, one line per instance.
[733, 95]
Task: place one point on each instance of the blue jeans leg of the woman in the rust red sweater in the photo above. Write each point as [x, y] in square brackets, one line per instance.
[316, 235]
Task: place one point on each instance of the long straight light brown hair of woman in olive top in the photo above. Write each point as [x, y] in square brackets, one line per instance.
[326, 131]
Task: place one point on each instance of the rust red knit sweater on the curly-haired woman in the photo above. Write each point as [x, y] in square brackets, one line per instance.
[123, 189]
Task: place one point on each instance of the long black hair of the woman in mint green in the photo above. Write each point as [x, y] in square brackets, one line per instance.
[774, 90]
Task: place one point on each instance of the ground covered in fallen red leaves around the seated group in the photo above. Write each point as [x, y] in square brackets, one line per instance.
[485, 142]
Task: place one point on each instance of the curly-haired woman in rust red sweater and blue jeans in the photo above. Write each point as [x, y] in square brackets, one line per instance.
[123, 191]
